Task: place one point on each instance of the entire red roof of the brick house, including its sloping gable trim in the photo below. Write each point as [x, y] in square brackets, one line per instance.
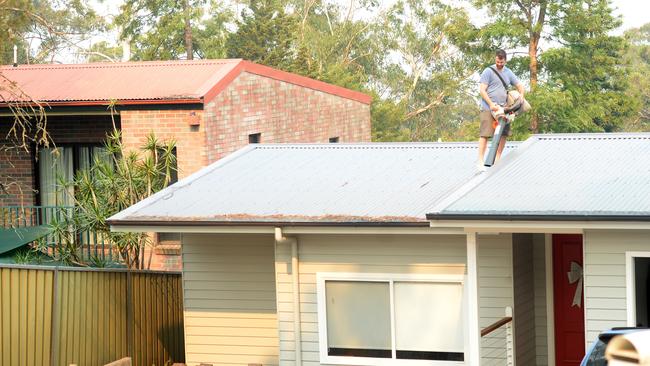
[152, 82]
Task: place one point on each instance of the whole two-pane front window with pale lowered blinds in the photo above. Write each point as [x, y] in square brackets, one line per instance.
[397, 317]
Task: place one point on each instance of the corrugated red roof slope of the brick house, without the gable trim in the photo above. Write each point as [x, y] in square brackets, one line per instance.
[157, 80]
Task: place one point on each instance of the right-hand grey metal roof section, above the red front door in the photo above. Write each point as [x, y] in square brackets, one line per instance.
[561, 177]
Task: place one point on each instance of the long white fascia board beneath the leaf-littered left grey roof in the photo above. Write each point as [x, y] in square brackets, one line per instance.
[292, 230]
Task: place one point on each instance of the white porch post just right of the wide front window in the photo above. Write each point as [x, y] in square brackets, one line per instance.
[472, 299]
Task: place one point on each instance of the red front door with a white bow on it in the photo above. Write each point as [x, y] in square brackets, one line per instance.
[569, 300]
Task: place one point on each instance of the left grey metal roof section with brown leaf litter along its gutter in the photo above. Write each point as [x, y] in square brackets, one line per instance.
[336, 184]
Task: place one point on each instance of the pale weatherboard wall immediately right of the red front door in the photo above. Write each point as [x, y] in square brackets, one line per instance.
[604, 277]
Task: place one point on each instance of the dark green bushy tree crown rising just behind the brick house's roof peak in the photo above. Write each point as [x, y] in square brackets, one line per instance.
[265, 34]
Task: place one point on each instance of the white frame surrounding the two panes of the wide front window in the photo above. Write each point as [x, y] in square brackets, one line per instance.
[390, 278]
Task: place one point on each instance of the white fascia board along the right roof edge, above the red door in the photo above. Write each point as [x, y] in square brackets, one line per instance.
[557, 227]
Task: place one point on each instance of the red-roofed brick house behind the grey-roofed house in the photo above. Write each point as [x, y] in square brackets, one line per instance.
[210, 107]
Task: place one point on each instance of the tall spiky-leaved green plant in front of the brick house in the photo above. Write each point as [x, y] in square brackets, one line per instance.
[113, 183]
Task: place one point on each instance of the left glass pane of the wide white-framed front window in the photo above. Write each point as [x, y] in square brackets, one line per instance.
[358, 318]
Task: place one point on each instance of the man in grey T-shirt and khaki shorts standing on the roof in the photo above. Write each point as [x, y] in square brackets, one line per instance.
[494, 94]
